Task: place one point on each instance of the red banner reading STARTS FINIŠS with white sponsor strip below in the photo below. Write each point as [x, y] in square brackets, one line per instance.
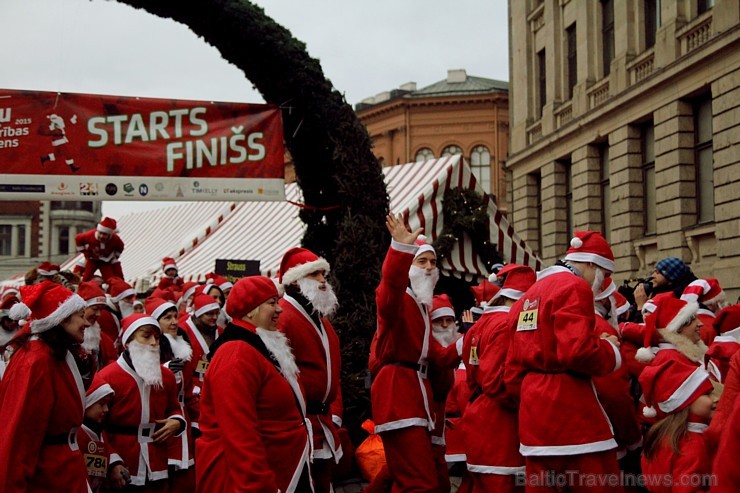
[65, 146]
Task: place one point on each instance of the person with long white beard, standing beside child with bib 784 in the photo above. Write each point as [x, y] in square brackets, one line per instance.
[144, 412]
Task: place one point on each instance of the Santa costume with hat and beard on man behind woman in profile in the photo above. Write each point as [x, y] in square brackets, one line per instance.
[316, 350]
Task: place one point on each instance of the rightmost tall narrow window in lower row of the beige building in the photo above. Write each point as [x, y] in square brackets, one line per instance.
[704, 159]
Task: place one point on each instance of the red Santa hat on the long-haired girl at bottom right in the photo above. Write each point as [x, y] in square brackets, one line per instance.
[672, 386]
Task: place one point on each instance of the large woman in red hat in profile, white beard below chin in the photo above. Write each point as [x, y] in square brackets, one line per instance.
[253, 414]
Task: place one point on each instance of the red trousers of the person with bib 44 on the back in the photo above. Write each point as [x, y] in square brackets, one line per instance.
[589, 473]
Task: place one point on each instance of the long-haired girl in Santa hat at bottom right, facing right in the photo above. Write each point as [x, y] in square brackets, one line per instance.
[682, 396]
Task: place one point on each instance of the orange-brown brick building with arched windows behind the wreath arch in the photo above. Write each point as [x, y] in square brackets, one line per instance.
[461, 114]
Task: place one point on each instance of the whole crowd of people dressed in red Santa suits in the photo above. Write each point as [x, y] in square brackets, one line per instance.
[554, 381]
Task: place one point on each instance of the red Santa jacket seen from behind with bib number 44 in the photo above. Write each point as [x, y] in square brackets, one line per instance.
[553, 355]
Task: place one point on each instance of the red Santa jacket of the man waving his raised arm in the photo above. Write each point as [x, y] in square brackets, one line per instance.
[403, 348]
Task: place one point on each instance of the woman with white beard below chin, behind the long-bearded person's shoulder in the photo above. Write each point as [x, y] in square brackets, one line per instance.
[175, 352]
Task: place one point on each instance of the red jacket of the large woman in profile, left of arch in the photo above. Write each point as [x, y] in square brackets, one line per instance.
[254, 436]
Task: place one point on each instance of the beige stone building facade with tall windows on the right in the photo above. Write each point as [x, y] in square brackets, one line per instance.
[625, 118]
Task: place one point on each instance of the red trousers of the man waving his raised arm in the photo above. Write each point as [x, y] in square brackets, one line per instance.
[408, 453]
